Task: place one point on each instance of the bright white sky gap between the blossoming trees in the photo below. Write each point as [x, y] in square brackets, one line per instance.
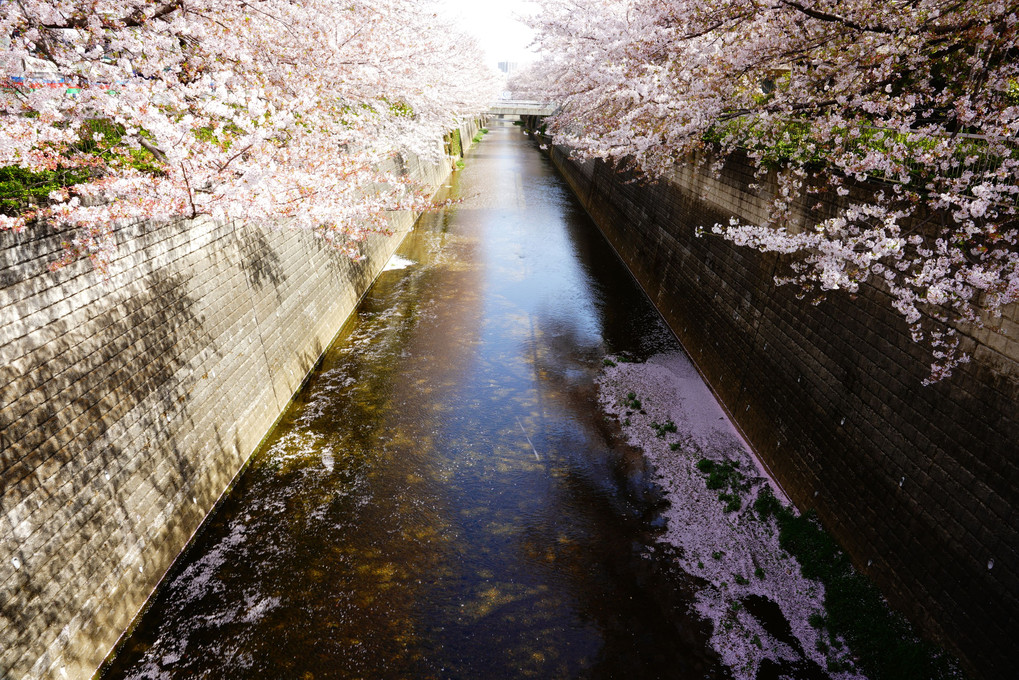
[495, 24]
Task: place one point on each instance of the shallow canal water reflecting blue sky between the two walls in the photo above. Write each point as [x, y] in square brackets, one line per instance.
[446, 498]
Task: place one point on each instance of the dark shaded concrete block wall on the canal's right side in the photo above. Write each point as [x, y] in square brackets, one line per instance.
[920, 485]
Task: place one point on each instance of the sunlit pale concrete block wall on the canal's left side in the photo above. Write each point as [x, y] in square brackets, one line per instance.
[129, 406]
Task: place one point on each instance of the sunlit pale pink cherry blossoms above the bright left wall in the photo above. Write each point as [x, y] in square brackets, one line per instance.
[277, 112]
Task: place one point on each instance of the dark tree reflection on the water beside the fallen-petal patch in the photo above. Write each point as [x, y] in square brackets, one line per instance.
[584, 538]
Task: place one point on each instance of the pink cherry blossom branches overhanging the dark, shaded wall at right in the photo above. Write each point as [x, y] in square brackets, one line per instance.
[919, 98]
